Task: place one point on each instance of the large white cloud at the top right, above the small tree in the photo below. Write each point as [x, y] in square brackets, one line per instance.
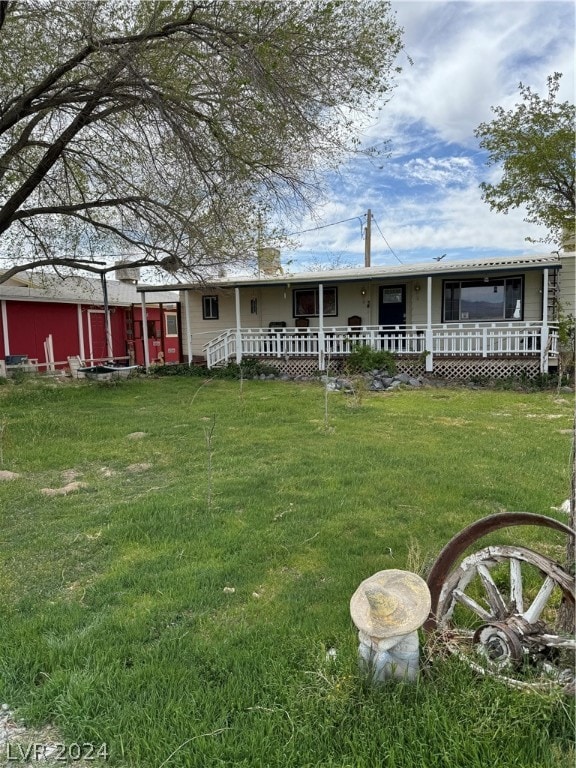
[469, 56]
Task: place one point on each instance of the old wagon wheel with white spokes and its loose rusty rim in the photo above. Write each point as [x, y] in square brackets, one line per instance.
[499, 607]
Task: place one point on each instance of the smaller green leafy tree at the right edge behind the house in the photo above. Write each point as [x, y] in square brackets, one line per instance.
[534, 142]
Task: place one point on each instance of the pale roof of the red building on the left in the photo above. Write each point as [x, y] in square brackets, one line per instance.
[77, 289]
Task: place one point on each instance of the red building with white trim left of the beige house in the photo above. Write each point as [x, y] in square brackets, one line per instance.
[45, 319]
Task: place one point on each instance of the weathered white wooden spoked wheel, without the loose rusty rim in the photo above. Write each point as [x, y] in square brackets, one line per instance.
[471, 598]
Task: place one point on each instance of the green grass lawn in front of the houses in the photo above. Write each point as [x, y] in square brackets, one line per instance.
[179, 606]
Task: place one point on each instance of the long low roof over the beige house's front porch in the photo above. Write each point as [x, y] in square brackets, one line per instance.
[411, 271]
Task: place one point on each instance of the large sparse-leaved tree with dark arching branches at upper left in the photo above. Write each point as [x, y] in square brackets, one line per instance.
[162, 133]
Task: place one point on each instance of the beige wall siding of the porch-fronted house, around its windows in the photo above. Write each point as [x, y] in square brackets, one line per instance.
[360, 296]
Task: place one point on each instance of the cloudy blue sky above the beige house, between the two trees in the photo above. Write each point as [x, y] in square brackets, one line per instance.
[425, 198]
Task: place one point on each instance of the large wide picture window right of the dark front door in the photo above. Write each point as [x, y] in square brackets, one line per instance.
[488, 299]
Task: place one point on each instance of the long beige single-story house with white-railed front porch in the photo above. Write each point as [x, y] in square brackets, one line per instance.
[496, 316]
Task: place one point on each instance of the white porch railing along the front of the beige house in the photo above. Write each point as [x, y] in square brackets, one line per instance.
[447, 339]
